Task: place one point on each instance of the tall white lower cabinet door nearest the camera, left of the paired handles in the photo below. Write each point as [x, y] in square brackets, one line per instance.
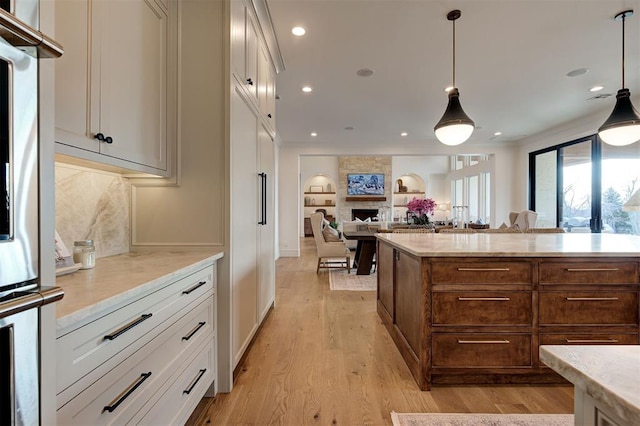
[244, 224]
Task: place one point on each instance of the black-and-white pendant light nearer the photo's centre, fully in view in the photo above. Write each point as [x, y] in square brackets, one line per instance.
[455, 126]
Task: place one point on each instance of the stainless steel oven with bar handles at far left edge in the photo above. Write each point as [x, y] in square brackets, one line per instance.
[21, 47]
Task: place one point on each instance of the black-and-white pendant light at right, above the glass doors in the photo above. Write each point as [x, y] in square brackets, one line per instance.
[623, 125]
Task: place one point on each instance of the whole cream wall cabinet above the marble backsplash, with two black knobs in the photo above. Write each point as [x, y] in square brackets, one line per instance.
[112, 83]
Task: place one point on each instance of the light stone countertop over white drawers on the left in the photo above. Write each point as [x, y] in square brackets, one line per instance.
[117, 278]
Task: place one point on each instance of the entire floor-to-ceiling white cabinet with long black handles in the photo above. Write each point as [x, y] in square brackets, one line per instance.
[252, 177]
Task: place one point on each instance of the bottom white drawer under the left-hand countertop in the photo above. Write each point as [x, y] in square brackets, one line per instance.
[181, 397]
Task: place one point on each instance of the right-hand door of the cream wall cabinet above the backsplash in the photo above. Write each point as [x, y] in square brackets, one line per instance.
[133, 81]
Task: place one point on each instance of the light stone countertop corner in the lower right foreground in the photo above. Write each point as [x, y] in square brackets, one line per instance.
[609, 374]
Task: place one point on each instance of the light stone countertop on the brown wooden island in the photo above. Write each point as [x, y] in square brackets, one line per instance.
[516, 245]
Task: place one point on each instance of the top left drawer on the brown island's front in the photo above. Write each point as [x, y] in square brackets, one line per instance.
[481, 273]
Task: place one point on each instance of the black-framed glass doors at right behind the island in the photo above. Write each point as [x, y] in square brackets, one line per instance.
[583, 185]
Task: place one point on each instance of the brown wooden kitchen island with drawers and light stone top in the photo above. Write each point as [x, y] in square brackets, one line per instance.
[475, 308]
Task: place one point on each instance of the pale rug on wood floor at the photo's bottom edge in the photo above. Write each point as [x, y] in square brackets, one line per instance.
[447, 419]
